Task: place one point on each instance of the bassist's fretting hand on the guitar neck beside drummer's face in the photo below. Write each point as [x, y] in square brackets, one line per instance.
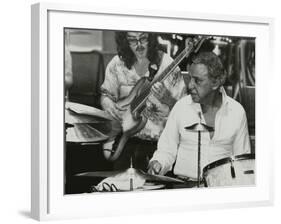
[161, 92]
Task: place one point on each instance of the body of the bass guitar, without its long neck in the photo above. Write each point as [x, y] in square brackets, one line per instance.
[131, 123]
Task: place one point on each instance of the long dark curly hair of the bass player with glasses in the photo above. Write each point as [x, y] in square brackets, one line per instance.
[126, 54]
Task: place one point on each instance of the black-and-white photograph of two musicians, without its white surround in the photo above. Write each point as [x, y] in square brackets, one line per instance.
[151, 111]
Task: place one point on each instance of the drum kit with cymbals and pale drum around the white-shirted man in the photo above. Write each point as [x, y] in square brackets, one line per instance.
[88, 125]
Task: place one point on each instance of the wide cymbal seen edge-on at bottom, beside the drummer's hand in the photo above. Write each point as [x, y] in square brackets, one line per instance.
[132, 173]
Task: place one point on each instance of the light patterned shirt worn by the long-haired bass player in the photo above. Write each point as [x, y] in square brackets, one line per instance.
[119, 81]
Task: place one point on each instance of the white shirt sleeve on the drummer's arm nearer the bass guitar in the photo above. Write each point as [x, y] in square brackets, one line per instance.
[168, 143]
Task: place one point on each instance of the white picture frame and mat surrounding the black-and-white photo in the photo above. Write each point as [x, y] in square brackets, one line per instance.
[48, 201]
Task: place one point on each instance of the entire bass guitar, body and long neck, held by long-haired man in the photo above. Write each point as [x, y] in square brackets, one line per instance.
[132, 119]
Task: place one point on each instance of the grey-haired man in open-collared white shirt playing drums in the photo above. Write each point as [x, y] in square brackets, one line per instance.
[177, 147]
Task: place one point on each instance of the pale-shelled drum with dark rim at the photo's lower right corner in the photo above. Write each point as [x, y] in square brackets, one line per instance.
[237, 171]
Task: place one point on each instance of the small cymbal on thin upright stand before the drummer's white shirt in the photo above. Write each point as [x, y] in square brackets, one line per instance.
[199, 127]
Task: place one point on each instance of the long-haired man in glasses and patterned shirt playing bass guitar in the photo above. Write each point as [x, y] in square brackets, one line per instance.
[139, 56]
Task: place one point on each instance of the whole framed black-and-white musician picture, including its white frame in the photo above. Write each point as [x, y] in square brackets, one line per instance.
[124, 112]
